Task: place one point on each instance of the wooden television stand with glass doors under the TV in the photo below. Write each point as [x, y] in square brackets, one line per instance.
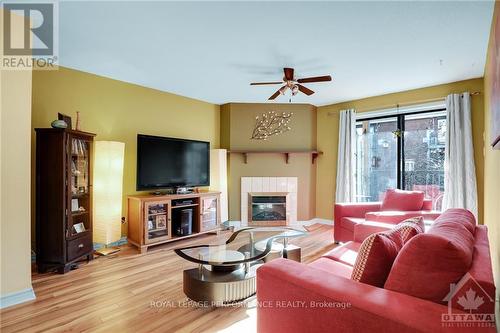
[151, 218]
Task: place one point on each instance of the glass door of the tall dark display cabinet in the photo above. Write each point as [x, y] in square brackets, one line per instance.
[79, 183]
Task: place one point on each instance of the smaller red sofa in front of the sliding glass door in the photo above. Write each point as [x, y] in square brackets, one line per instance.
[396, 206]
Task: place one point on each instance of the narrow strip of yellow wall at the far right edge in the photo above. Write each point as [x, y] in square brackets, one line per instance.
[492, 172]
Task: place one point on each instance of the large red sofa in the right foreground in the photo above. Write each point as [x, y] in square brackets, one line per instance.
[322, 297]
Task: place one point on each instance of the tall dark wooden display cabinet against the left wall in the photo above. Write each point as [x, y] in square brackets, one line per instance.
[63, 198]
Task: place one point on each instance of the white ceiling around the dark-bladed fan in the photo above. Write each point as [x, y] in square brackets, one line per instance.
[212, 50]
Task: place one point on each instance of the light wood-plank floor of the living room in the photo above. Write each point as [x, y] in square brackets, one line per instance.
[132, 292]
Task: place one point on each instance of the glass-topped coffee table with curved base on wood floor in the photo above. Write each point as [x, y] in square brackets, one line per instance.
[226, 273]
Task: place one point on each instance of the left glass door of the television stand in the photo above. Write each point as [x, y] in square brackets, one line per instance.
[157, 222]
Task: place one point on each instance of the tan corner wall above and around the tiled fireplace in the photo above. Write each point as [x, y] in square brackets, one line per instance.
[238, 120]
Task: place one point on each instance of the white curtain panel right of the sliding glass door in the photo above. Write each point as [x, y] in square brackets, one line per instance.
[459, 174]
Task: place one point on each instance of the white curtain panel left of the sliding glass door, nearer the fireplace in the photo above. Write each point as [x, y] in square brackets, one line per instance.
[346, 167]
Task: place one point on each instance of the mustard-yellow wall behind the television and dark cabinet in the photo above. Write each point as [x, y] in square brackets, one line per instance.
[118, 111]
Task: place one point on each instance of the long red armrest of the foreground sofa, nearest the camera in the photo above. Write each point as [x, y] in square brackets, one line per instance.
[293, 297]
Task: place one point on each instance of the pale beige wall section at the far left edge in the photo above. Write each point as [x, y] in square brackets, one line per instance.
[15, 129]
